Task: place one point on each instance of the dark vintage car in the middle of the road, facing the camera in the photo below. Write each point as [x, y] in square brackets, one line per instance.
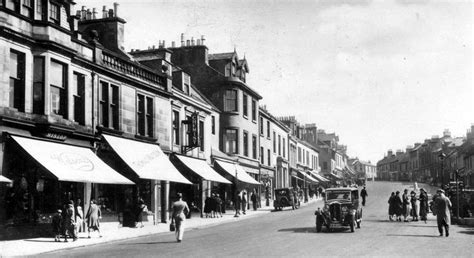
[341, 209]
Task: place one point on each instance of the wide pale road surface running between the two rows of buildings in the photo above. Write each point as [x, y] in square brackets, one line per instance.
[292, 233]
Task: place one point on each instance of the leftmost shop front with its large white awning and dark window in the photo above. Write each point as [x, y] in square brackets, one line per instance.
[46, 174]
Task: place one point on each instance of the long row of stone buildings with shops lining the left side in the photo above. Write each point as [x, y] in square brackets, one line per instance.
[81, 118]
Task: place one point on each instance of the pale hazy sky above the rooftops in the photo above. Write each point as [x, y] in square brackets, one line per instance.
[380, 74]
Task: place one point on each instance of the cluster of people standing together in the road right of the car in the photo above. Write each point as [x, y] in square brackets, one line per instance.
[406, 205]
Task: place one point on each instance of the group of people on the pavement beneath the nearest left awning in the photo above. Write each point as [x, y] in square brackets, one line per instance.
[69, 221]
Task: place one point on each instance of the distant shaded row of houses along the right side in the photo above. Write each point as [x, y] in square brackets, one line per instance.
[437, 160]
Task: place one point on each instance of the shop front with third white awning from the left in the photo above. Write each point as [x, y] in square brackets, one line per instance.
[204, 178]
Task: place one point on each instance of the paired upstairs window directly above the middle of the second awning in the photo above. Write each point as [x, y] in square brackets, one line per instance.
[145, 115]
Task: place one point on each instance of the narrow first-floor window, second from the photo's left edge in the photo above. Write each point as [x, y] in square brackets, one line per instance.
[38, 85]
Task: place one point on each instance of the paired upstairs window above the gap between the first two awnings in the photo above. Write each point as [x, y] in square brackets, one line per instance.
[108, 105]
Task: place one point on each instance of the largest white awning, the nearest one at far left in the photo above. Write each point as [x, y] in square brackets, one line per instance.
[71, 163]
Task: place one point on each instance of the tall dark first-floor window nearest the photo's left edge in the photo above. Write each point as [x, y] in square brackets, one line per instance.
[17, 80]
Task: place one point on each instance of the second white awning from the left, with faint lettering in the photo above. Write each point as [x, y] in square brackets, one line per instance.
[147, 160]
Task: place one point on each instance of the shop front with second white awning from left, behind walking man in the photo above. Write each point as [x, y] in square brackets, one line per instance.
[149, 167]
